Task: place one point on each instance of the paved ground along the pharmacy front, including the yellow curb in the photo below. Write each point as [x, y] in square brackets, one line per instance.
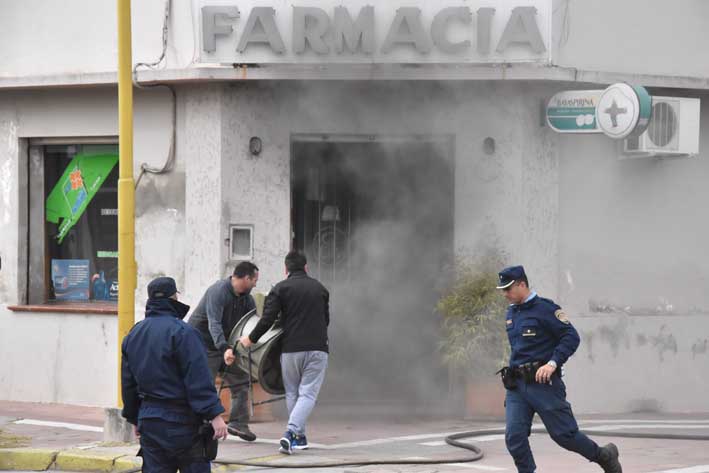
[38, 437]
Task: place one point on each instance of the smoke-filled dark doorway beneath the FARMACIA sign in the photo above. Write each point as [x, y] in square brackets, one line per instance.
[375, 219]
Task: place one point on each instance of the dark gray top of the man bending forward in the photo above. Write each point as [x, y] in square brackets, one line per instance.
[218, 312]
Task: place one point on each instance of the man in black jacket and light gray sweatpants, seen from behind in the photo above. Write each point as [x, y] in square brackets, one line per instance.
[305, 315]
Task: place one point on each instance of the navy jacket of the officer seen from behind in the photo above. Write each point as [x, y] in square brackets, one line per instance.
[164, 372]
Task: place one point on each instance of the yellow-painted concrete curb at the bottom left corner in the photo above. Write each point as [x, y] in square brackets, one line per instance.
[36, 459]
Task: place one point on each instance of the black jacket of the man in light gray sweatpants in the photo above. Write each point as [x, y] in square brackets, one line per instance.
[304, 305]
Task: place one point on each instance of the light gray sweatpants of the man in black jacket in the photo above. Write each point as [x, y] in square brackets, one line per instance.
[303, 375]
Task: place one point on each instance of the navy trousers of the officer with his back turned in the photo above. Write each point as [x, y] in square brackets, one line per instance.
[165, 447]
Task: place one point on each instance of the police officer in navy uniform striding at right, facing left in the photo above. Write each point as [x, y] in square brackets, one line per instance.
[542, 339]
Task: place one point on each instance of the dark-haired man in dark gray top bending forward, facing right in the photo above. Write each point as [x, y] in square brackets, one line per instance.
[222, 306]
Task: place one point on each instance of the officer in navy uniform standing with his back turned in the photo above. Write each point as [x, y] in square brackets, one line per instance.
[168, 391]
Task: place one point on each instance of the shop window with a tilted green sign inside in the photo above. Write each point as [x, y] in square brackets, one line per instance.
[73, 223]
